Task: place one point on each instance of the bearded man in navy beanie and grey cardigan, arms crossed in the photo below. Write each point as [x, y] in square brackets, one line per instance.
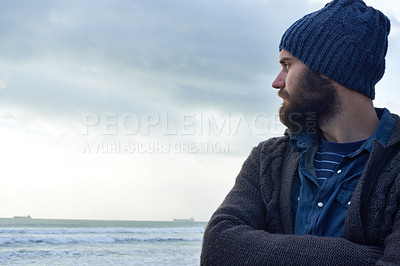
[328, 191]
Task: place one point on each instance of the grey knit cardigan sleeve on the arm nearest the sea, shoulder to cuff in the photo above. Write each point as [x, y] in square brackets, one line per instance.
[238, 235]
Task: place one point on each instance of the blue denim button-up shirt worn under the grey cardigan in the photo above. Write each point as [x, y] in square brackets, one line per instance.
[321, 209]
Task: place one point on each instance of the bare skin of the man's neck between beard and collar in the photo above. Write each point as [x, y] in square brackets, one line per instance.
[356, 120]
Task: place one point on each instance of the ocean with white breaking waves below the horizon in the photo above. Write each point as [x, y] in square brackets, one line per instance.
[92, 242]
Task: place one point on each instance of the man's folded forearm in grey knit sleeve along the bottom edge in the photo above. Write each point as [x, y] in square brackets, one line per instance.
[228, 243]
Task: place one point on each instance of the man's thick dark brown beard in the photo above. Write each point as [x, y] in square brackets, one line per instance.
[314, 101]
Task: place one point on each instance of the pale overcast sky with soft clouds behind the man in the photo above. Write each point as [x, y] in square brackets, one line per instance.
[142, 109]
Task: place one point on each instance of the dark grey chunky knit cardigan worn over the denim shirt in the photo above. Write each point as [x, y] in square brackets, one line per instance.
[254, 225]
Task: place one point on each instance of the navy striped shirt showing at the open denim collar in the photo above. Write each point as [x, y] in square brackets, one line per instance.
[329, 156]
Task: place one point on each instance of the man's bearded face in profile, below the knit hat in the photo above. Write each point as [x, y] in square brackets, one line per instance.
[308, 98]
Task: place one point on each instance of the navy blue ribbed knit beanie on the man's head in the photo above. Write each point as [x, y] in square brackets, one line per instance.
[346, 41]
